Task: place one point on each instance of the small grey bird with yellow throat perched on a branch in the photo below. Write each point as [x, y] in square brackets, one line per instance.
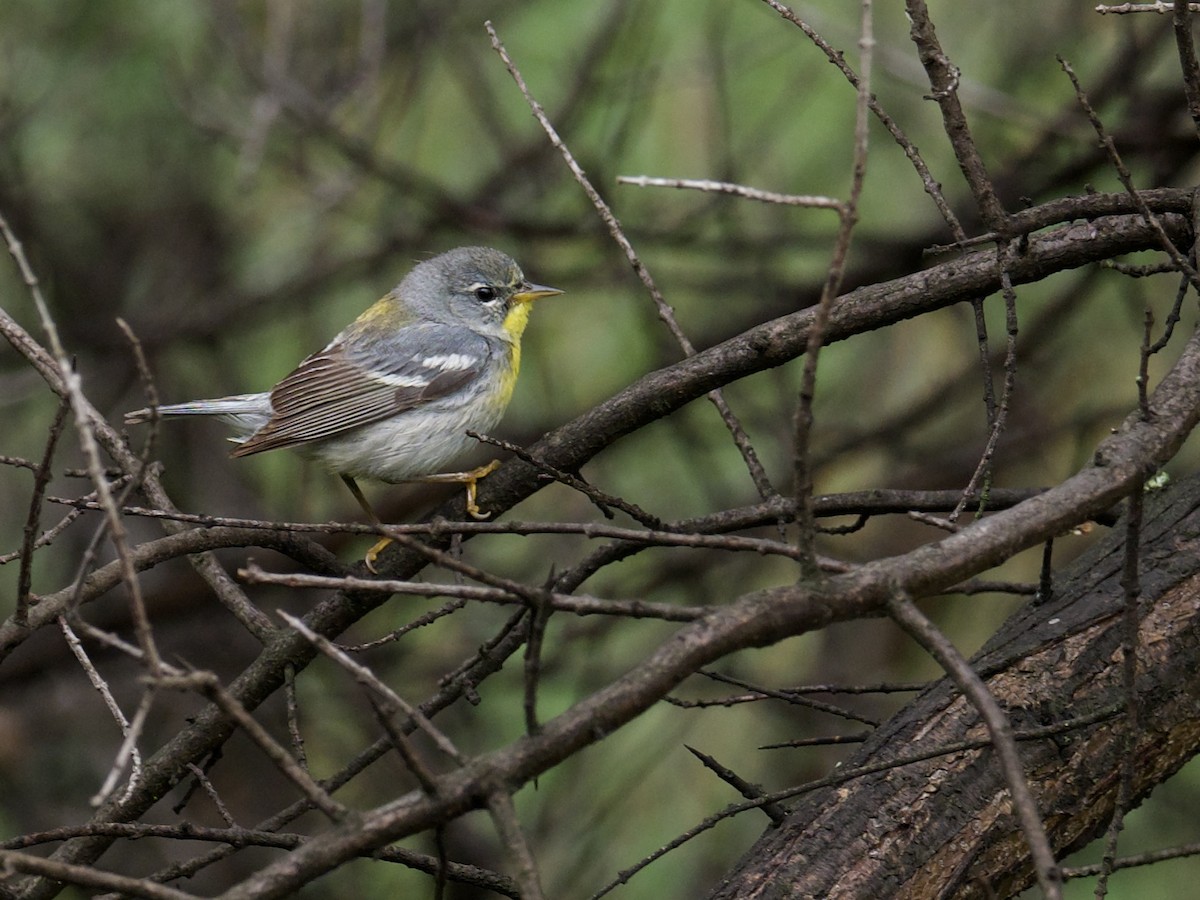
[393, 397]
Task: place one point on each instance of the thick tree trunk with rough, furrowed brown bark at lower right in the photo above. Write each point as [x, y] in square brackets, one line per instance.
[945, 826]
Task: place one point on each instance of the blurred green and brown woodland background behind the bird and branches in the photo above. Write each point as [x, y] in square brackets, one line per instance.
[239, 181]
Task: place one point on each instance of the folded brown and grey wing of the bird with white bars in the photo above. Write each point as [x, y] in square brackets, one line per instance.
[335, 391]
